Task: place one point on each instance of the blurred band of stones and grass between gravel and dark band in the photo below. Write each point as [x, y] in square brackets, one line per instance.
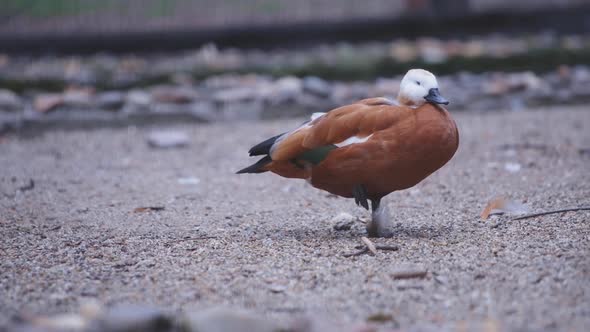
[209, 84]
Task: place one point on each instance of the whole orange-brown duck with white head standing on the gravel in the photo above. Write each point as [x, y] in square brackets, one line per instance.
[368, 149]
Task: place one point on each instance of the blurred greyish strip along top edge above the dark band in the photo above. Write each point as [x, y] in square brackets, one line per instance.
[38, 20]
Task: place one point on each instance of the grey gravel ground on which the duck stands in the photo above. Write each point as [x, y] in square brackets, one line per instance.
[268, 244]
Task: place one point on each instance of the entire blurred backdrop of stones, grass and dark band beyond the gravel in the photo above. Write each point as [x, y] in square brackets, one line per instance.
[94, 62]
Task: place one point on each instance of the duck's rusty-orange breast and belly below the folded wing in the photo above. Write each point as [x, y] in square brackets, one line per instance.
[416, 144]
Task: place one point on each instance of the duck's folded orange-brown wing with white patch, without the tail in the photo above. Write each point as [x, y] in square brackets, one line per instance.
[343, 126]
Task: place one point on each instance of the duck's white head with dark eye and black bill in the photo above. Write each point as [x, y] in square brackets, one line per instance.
[418, 87]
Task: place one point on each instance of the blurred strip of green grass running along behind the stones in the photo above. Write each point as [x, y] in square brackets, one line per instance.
[346, 69]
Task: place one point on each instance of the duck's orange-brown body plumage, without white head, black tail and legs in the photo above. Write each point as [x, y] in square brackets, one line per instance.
[405, 146]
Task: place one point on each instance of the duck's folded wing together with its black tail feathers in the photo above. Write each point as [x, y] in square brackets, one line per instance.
[288, 154]
